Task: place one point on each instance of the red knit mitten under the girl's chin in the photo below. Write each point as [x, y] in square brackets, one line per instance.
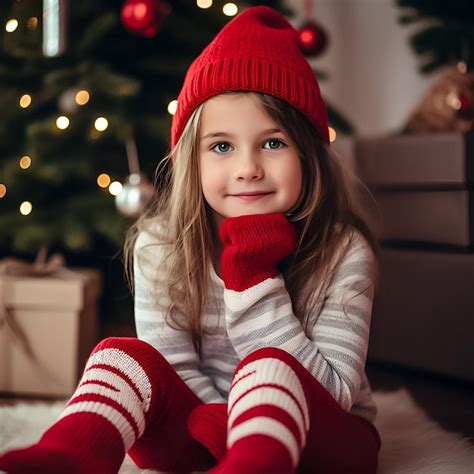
[253, 247]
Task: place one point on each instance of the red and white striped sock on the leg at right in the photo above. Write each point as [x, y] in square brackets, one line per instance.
[268, 415]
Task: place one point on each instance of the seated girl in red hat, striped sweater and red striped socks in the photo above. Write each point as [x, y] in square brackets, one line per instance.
[254, 278]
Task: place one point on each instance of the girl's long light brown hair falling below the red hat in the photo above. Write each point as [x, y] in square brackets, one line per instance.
[179, 221]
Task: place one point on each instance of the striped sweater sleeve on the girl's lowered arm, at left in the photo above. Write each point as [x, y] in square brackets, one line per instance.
[175, 345]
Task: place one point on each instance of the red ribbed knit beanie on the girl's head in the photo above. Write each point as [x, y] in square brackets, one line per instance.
[257, 51]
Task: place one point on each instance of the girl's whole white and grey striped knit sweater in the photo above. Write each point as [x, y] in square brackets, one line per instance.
[262, 316]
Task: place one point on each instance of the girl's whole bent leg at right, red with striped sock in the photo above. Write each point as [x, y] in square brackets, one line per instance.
[280, 417]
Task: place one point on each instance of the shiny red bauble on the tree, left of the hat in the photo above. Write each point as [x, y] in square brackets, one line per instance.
[144, 17]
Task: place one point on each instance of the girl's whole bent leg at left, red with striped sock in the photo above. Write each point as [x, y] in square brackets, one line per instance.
[128, 392]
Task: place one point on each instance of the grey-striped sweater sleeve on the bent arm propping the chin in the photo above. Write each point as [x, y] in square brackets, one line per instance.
[336, 351]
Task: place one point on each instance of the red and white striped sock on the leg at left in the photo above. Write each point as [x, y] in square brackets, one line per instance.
[103, 419]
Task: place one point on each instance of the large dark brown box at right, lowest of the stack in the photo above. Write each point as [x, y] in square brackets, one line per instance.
[423, 313]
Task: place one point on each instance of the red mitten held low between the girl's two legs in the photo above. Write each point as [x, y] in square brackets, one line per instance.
[207, 424]
